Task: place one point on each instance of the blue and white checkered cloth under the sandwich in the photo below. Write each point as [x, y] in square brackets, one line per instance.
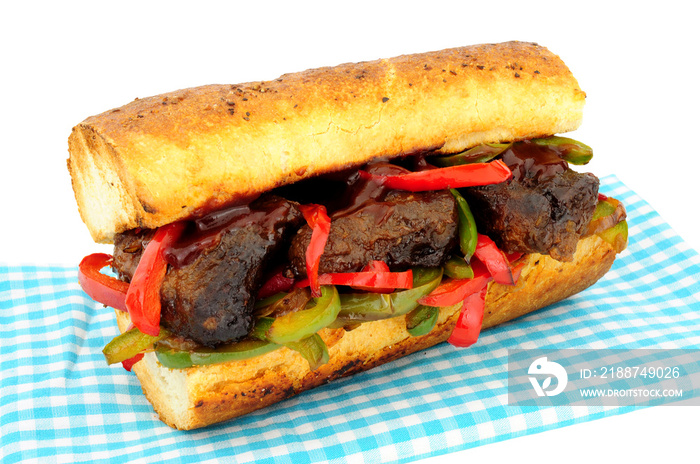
[59, 401]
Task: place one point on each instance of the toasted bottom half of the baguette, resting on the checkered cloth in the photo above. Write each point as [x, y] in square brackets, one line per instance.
[203, 395]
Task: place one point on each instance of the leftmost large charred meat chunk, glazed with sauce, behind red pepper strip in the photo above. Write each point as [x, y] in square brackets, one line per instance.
[215, 269]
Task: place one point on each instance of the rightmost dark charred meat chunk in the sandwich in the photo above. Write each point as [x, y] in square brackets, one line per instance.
[547, 216]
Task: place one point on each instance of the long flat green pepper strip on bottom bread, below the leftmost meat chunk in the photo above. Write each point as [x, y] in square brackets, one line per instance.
[245, 349]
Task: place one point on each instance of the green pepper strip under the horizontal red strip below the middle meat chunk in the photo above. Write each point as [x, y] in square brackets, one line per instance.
[364, 307]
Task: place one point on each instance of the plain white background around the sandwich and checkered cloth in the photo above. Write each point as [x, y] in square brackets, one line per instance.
[637, 61]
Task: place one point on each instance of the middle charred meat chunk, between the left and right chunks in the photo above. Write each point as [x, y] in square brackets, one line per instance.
[403, 229]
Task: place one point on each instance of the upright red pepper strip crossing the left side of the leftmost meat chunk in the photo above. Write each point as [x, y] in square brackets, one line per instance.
[143, 297]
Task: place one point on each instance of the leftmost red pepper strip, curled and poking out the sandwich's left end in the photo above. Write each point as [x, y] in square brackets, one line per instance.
[101, 288]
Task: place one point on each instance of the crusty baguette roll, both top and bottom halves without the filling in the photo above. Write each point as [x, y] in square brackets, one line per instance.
[179, 155]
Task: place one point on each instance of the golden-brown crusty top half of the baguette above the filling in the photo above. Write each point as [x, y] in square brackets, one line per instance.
[173, 156]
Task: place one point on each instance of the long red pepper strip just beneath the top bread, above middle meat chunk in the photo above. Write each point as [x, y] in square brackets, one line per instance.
[467, 175]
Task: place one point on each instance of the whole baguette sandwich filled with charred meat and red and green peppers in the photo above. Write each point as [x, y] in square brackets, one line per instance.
[272, 236]
